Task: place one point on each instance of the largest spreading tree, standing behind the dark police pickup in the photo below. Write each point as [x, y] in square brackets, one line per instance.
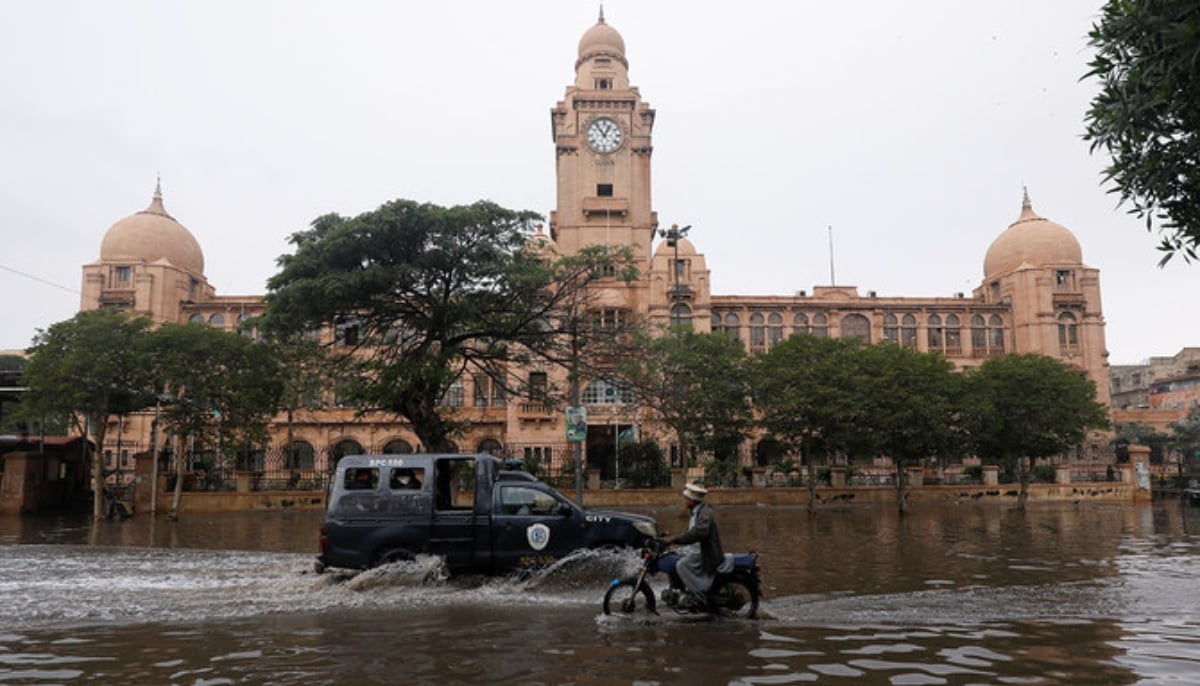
[422, 296]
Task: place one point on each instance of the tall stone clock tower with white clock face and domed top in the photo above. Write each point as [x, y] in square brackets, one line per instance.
[602, 133]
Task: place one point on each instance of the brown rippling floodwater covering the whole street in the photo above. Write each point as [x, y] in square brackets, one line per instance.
[975, 594]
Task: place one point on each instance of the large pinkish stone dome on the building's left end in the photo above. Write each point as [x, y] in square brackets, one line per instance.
[153, 236]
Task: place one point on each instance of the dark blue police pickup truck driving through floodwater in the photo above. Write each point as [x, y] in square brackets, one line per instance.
[467, 509]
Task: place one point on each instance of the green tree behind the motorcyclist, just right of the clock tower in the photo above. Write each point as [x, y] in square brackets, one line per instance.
[699, 384]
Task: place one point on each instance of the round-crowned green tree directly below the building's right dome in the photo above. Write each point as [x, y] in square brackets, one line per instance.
[1024, 407]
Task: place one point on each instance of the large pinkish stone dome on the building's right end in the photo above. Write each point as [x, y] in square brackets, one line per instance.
[1031, 240]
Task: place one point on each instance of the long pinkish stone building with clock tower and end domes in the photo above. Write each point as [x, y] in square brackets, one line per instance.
[1036, 294]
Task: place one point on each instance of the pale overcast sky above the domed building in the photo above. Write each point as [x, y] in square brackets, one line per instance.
[909, 128]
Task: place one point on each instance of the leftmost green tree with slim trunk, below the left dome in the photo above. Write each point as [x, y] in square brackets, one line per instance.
[91, 369]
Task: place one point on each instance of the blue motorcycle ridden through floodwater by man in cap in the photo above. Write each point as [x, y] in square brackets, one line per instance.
[735, 592]
